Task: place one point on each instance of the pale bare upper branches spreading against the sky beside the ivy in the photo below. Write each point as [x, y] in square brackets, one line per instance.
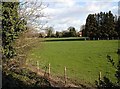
[32, 12]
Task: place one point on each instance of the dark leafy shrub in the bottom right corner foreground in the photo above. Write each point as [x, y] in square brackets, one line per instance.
[106, 83]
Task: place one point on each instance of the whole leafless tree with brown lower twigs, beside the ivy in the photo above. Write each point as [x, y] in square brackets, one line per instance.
[33, 13]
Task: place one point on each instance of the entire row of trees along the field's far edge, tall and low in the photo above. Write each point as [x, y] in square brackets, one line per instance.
[103, 25]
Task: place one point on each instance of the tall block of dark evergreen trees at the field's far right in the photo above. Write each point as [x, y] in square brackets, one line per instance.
[103, 25]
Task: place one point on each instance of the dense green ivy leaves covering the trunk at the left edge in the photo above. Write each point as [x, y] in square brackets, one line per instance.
[11, 27]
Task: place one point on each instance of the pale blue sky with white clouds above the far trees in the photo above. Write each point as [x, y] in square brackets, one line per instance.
[65, 13]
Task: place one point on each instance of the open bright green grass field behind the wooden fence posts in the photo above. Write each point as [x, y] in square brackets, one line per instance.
[83, 59]
